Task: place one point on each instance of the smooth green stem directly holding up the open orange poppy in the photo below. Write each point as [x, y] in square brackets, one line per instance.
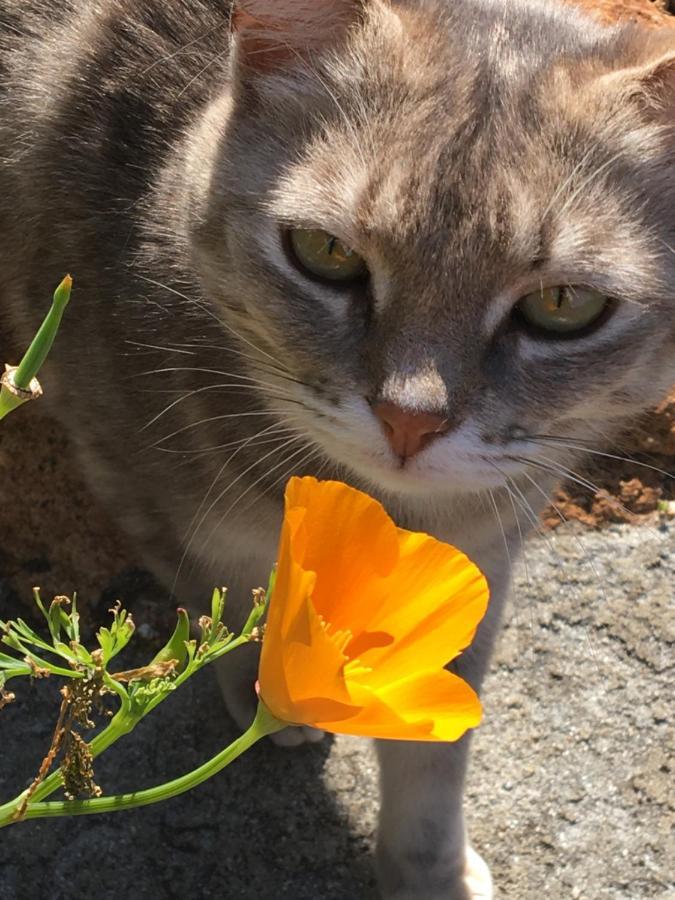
[263, 724]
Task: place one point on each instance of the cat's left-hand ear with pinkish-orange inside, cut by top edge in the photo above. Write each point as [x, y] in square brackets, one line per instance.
[271, 34]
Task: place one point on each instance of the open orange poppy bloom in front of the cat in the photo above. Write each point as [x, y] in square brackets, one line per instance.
[362, 619]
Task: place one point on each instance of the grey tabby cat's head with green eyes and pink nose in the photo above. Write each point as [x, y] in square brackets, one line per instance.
[454, 225]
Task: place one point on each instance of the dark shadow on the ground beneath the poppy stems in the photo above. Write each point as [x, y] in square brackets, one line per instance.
[268, 827]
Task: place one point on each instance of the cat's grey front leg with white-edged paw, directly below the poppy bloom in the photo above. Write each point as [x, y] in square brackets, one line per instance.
[422, 850]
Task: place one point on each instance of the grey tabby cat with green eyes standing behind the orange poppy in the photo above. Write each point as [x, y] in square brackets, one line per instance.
[423, 246]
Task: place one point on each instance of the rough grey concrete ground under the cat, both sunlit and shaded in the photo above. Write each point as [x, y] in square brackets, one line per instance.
[572, 791]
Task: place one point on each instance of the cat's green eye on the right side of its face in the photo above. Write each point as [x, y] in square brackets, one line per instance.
[562, 310]
